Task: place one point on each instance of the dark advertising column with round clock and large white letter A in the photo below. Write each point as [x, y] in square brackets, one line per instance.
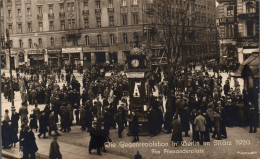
[138, 87]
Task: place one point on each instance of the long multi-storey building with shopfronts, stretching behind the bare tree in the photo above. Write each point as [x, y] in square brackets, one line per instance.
[82, 31]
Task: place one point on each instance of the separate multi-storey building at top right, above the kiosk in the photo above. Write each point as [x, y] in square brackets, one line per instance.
[238, 29]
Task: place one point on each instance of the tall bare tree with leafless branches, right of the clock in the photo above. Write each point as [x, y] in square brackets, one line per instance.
[171, 27]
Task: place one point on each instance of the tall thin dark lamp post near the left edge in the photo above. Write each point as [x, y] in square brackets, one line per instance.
[9, 45]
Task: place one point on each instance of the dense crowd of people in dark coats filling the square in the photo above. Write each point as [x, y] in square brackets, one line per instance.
[199, 102]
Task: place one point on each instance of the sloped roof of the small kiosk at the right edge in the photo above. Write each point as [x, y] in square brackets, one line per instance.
[252, 62]
